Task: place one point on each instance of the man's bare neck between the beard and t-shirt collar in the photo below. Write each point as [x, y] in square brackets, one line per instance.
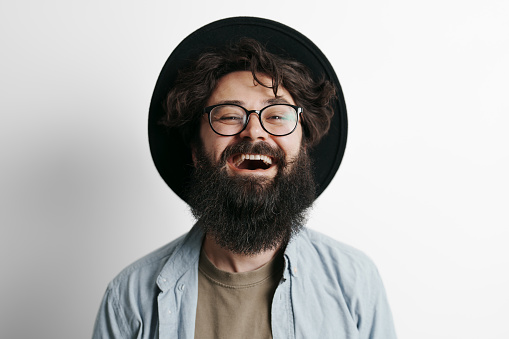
[232, 262]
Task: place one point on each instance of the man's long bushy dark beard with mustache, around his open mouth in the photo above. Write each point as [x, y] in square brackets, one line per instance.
[246, 214]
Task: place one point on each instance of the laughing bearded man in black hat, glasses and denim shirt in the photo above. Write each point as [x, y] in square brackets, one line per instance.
[247, 125]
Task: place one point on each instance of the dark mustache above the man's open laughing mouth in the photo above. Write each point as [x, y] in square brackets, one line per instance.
[260, 147]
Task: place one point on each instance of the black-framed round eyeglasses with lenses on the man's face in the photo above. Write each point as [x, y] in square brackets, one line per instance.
[231, 119]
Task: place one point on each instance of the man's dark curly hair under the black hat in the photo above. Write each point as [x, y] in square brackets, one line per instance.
[194, 85]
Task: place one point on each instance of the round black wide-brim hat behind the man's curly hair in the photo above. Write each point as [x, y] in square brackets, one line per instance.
[172, 156]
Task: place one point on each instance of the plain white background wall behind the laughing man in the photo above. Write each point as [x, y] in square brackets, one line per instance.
[423, 187]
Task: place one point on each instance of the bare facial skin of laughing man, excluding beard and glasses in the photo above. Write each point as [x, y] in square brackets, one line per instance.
[240, 88]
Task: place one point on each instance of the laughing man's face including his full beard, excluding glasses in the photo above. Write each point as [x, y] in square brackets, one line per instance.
[250, 207]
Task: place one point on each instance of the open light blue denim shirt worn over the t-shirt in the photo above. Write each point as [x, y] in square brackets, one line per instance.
[328, 290]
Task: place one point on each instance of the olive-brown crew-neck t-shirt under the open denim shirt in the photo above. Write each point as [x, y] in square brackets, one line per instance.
[236, 305]
